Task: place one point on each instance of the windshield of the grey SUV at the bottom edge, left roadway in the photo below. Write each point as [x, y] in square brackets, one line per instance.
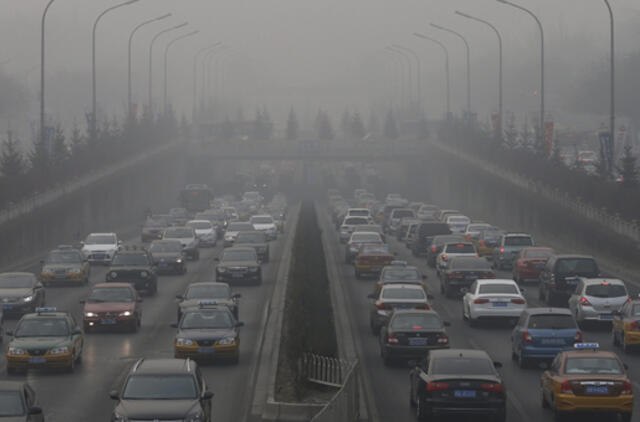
[160, 387]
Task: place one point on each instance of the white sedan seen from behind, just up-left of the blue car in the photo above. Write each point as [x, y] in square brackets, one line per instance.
[493, 299]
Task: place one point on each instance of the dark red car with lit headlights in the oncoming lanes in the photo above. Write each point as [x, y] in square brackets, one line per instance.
[112, 305]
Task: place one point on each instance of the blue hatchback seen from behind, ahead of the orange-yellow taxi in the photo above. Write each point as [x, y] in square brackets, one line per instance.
[542, 333]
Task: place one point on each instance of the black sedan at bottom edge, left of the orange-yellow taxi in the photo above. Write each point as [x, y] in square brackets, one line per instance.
[457, 382]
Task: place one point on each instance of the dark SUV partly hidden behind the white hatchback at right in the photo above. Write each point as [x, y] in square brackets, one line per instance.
[560, 275]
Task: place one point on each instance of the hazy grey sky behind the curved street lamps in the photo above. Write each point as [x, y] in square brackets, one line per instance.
[323, 53]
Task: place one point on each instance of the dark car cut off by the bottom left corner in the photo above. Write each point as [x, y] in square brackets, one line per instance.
[19, 403]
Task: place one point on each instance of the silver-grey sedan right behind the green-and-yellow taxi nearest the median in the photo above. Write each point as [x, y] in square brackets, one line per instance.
[208, 291]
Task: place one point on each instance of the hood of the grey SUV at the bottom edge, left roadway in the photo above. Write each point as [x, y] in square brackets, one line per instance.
[154, 409]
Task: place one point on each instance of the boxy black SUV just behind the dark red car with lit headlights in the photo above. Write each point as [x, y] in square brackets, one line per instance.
[134, 266]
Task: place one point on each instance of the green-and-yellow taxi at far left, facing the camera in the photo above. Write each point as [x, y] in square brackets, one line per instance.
[45, 339]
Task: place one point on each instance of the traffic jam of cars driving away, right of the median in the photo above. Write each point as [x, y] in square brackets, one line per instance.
[428, 268]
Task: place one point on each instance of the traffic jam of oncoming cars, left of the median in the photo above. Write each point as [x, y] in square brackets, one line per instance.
[42, 338]
